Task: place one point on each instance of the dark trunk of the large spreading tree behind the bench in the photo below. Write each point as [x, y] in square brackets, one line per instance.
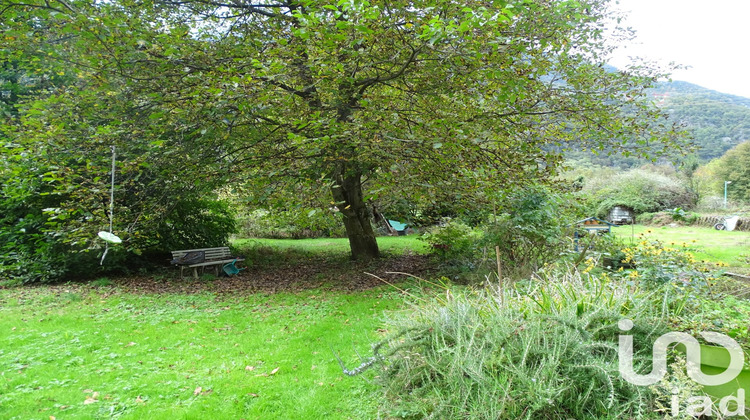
[347, 192]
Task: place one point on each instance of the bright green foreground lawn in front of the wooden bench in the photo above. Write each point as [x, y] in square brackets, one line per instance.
[80, 352]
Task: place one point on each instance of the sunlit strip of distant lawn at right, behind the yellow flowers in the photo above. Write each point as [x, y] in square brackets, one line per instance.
[732, 248]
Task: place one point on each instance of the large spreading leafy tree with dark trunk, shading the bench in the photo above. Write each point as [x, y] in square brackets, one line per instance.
[352, 97]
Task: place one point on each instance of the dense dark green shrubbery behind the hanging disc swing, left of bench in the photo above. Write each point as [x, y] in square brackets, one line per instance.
[55, 192]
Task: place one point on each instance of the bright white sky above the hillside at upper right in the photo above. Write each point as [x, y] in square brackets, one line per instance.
[713, 37]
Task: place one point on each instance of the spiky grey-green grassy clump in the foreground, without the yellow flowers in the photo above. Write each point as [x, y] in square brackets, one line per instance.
[545, 350]
